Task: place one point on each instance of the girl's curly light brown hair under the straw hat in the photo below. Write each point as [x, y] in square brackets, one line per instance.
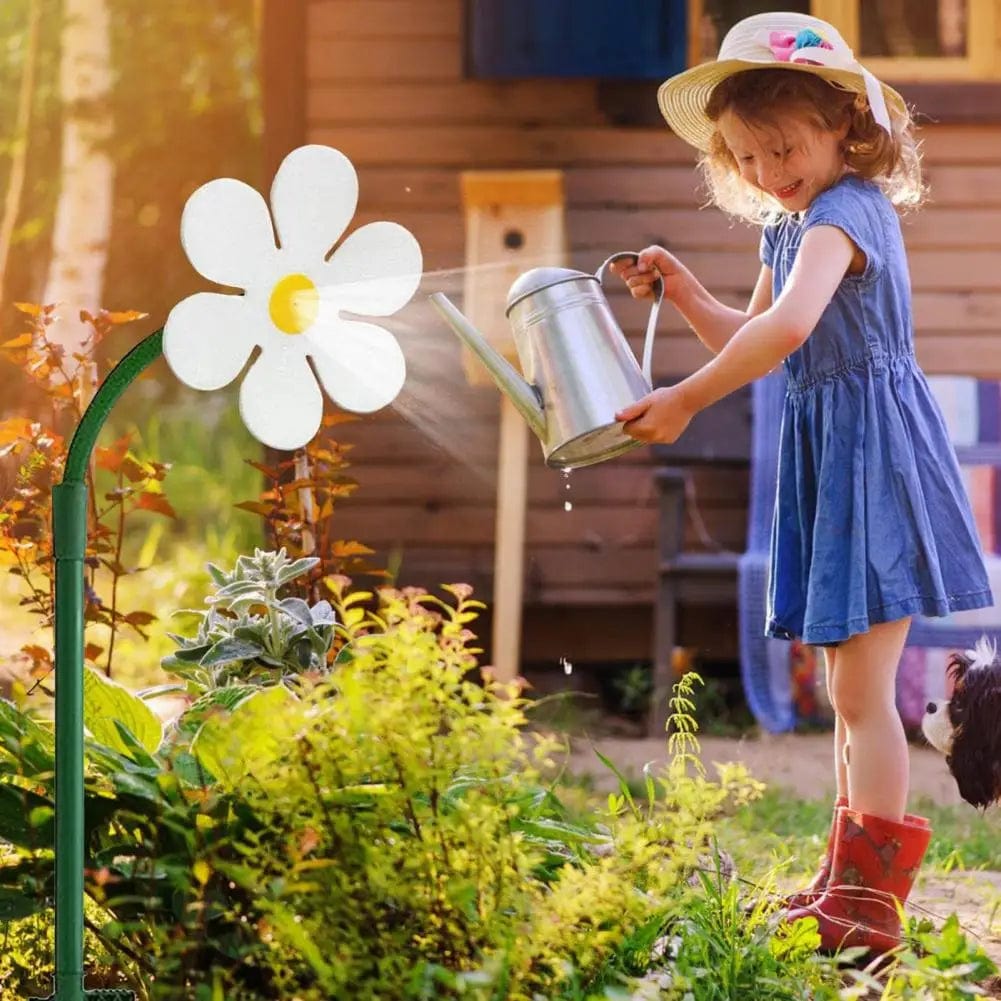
[763, 97]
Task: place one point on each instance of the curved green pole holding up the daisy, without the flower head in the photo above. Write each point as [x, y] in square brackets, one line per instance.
[70, 545]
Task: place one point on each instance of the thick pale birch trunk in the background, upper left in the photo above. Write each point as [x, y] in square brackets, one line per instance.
[84, 213]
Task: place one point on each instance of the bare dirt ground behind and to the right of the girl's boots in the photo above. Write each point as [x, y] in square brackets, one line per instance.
[803, 765]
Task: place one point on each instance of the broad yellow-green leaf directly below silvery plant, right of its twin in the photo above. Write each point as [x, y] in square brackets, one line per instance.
[232, 746]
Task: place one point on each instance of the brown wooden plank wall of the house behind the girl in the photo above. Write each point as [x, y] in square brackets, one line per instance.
[386, 84]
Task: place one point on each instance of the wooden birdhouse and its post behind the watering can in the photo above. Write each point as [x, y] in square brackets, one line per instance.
[514, 222]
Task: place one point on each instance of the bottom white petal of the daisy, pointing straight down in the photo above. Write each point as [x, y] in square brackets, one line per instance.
[280, 401]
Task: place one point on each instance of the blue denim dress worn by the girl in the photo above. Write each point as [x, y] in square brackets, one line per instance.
[872, 523]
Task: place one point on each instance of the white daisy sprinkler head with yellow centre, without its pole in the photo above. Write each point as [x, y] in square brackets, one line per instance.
[294, 298]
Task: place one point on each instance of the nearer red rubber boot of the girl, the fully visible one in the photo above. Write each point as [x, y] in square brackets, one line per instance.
[873, 869]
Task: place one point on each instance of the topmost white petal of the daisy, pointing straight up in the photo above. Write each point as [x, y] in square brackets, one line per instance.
[314, 197]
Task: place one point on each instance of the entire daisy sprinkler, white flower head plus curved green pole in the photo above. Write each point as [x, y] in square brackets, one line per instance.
[291, 309]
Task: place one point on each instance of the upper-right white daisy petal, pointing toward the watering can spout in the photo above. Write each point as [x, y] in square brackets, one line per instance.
[376, 272]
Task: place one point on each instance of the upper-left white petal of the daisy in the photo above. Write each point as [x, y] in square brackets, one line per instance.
[227, 234]
